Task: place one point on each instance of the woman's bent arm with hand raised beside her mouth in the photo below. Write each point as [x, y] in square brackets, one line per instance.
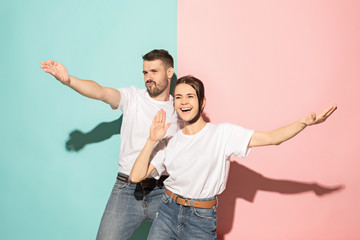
[142, 168]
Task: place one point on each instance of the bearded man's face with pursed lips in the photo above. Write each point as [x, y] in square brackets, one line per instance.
[155, 77]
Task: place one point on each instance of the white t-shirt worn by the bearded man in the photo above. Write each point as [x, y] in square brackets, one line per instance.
[139, 110]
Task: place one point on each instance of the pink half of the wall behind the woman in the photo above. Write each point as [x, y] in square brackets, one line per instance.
[266, 64]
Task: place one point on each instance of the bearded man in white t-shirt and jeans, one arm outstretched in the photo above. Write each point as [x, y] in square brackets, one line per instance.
[130, 204]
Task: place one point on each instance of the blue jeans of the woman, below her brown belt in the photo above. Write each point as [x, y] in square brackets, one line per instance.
[175, 221]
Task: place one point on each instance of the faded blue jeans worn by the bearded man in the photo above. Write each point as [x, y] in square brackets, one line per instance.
[128, 206]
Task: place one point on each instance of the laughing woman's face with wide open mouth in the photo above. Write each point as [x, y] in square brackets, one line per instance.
[186, 102]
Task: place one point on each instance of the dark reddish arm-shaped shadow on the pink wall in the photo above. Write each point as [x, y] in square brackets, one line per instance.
[244, 183]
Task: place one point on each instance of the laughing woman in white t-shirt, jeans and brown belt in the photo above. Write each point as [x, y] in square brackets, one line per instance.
[197, 160]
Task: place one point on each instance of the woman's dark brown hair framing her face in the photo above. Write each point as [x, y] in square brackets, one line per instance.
[199, 89]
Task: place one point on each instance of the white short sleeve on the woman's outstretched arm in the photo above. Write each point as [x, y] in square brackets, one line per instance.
[237, 139]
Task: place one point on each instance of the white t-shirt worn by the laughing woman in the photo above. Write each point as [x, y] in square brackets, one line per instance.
[198, 165]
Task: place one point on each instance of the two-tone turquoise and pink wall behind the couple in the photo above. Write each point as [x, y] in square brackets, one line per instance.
[264, 64]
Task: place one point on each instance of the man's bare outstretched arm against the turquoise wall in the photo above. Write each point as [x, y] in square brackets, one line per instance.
[86, 88]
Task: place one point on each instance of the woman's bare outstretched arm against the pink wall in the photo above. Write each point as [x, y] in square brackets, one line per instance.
[285, 133]
